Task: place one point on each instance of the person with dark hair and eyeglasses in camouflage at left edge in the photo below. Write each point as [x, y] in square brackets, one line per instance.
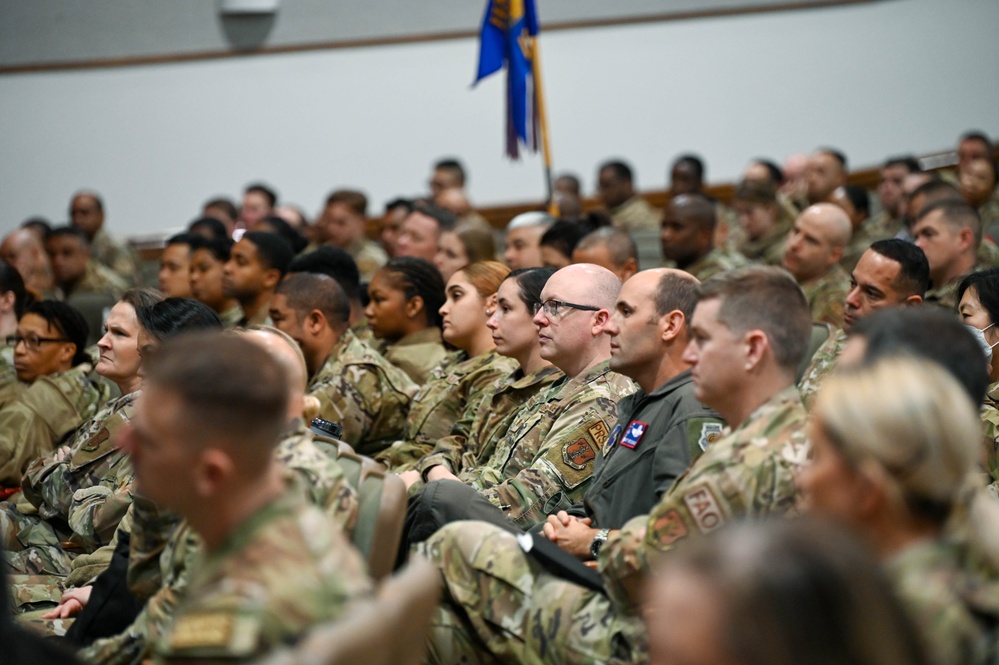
[58, 396]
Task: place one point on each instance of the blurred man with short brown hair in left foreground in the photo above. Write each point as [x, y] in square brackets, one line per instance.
[202, 442]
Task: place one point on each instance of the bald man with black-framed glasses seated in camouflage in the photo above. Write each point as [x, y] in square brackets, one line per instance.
[544, 462]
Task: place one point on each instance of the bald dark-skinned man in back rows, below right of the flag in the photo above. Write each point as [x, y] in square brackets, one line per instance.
[687, 237]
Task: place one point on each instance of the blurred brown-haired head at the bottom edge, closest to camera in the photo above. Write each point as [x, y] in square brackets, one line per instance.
[777, 593]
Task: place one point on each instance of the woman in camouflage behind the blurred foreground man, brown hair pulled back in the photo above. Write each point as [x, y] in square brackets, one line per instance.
[51, 521]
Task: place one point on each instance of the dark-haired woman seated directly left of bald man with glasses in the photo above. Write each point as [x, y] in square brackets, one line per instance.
[474, 436]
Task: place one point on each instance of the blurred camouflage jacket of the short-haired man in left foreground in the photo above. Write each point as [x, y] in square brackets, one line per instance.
[280, 571]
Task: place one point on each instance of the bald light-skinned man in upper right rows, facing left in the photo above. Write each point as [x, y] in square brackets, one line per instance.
[812, 255]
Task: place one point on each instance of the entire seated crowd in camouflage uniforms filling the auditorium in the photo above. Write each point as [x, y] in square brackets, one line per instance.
[779, 444]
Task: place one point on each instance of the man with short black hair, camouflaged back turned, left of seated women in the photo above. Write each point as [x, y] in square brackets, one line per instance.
[356, 387]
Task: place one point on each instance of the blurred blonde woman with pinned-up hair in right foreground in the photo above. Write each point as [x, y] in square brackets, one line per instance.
[898, 467]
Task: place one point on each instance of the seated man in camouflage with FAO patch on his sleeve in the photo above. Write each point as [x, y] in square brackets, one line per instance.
[749, 332]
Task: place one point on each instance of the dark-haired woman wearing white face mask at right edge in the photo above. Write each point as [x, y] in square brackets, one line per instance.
[978, 306]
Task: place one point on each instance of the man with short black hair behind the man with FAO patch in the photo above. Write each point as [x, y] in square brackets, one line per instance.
[891, 273]
